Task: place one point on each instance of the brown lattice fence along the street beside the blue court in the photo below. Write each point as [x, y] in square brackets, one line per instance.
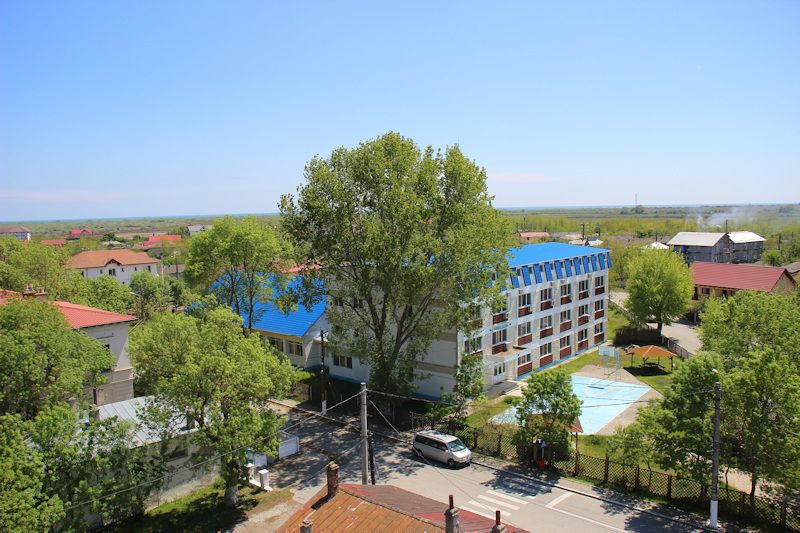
[497, 441]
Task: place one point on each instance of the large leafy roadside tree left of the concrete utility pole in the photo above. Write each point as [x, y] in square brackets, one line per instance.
[207, 370]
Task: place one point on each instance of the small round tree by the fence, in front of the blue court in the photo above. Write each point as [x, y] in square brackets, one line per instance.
[548, 408]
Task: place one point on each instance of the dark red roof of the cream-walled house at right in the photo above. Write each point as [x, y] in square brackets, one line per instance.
[738, 277]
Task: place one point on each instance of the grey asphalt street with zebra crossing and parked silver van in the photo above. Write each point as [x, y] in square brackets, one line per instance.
[525, 503]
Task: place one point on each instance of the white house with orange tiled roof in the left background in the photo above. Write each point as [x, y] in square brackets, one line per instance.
[119, 264]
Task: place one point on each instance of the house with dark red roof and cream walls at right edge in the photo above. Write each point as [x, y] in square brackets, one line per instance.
[724, 279]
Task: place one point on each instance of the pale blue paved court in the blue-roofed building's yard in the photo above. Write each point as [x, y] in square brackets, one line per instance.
[602, 400]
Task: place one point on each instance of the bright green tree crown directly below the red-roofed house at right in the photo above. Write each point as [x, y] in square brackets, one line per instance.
[752, 321]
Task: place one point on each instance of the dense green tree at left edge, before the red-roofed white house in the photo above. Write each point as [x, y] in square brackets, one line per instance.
[43, 361]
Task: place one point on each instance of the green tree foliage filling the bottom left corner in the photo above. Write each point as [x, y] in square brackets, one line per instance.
[24, 506]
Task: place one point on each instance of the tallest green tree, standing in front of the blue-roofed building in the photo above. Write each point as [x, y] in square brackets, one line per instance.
[405, 237]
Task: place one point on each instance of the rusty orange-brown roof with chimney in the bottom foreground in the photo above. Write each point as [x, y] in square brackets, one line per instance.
[374, 507]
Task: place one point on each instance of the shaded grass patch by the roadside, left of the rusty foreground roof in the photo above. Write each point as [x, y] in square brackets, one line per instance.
[202, 511]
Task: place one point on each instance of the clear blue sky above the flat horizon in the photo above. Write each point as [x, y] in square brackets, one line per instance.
[187, 107]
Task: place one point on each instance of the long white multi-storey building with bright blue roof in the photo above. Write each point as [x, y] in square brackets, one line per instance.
[556, 307]
